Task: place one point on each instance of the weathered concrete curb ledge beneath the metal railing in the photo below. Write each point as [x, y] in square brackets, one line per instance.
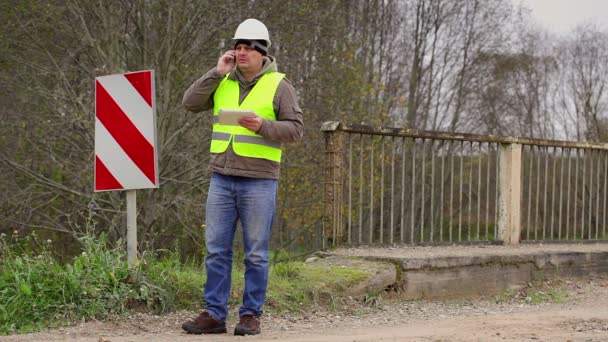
[457, 276]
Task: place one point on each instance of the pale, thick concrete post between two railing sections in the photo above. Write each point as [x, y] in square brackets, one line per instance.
[509, 197]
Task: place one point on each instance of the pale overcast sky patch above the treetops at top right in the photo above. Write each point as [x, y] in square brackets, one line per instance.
[560, 16]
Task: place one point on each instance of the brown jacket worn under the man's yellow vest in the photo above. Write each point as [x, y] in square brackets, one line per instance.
[288, 127]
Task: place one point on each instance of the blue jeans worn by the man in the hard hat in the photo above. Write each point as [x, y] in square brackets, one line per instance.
[251, 201]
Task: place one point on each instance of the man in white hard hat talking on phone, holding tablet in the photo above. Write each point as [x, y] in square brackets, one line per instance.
[245, 161]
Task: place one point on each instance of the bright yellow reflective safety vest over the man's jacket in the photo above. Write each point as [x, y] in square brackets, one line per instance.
[260, 99]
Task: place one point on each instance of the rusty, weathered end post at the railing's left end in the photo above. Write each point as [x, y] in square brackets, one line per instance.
[332, 192]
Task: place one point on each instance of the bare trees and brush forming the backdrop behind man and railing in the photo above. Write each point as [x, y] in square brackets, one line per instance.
[426, 64]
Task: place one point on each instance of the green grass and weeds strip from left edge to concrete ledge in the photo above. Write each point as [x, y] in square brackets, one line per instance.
[39, 293]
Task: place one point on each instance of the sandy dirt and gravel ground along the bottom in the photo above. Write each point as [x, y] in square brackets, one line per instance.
[580, 314]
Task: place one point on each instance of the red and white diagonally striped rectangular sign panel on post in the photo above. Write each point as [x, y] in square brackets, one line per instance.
[125, 132]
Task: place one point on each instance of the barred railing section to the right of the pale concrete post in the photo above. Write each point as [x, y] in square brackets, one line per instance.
[565, 193]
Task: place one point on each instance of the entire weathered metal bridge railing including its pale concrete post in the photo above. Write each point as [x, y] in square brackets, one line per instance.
[401, 186]
